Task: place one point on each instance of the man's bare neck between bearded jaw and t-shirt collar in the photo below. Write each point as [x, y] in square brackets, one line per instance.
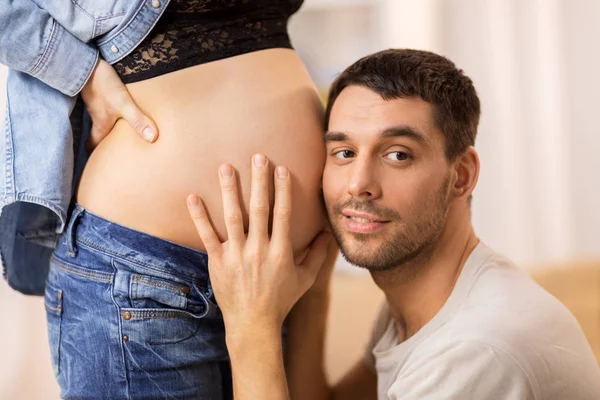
[417, 290]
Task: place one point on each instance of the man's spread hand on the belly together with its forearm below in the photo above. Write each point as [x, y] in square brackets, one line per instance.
[254, 277]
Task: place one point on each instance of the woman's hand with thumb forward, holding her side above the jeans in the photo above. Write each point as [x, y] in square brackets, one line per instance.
[107, 99]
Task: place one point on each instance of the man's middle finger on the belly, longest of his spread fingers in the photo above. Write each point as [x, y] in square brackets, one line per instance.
[259, 199]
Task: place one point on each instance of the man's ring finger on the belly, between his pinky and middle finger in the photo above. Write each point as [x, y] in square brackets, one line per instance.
[232, 212]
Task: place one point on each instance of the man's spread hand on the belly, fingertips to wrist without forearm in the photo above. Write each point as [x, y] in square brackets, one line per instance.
[254, 278]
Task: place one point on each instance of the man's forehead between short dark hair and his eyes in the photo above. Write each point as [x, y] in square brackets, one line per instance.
[360, 111]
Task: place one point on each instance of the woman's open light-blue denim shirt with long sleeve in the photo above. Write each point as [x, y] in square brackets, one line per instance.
[51, 48]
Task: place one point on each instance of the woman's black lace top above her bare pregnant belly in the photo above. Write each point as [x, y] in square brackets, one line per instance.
[192, 32]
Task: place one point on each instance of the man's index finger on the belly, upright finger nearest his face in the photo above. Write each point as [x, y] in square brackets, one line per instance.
[282, 212]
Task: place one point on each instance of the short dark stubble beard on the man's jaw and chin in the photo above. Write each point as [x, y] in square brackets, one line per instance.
[402, 247]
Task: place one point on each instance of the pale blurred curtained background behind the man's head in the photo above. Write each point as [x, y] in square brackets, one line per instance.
[534, 65]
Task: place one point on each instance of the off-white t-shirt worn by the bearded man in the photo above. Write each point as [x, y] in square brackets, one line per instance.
[499, 336]
